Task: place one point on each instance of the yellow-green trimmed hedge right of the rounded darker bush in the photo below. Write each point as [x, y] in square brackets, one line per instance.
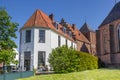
[86, 61]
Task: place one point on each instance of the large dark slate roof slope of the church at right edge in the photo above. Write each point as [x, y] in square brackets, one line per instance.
[113, 15]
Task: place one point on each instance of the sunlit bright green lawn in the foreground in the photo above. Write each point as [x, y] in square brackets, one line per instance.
[100, 74]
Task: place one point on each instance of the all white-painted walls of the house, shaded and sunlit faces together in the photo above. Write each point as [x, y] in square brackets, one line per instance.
[51, 42]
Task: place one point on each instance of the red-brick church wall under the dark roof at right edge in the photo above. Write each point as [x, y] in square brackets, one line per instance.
[106, 55]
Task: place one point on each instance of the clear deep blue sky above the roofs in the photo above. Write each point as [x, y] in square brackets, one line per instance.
[73, 11]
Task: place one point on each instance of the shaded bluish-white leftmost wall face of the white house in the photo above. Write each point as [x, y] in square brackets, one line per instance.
[26, 46]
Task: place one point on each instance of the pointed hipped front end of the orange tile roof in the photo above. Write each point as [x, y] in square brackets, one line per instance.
[38, 19]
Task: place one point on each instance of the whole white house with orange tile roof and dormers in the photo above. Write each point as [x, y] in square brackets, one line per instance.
[41, 33]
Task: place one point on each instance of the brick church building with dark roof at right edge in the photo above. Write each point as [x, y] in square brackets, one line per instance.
[108, 38]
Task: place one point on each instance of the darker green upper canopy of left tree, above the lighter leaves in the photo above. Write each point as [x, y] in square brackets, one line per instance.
[7, 30]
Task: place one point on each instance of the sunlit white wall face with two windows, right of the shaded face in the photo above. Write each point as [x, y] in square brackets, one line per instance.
[41, 46]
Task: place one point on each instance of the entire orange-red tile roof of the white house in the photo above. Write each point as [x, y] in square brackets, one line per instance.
[40, 19]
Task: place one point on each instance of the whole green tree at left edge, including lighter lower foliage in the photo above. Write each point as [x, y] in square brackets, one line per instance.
[7, 34]
